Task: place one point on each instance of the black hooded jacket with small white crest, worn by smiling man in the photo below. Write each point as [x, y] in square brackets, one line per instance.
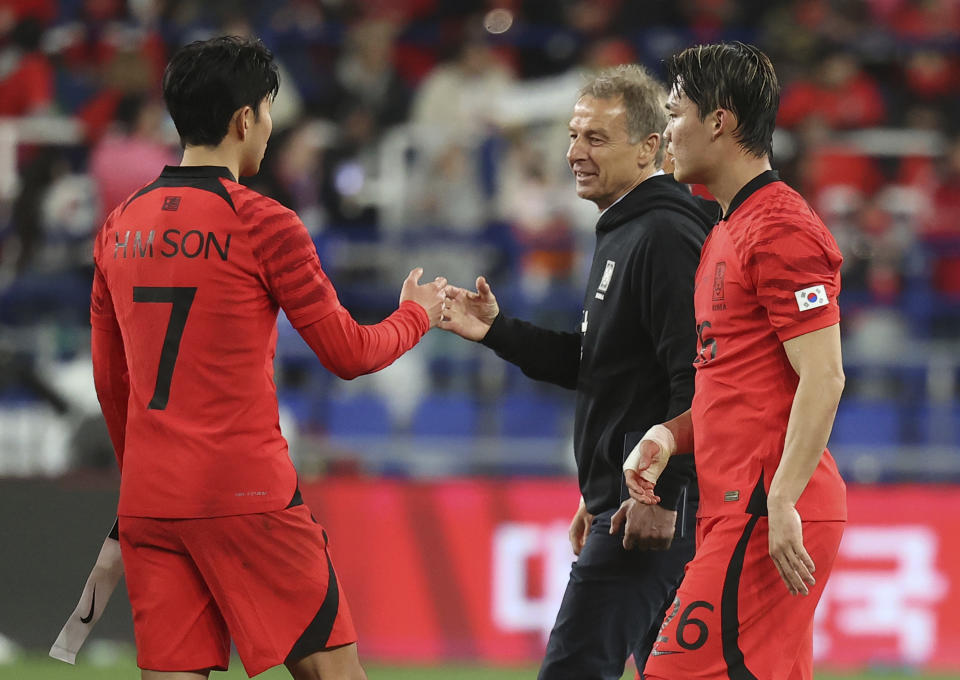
[631, 362]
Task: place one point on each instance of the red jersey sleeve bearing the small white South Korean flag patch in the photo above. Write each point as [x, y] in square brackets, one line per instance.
[788, 249]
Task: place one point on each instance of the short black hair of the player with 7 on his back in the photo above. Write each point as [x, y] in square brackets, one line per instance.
[208, 80]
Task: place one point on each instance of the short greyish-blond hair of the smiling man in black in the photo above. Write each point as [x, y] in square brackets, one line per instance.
[643, 97]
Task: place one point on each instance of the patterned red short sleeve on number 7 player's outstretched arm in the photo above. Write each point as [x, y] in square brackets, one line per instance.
[287, 259]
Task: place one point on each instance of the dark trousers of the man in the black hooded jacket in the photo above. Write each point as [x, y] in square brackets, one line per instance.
[615, 601]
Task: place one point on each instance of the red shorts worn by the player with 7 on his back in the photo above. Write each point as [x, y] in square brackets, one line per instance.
[264, 580]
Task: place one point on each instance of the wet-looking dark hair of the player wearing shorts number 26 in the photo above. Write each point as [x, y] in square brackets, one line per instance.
[736, 77]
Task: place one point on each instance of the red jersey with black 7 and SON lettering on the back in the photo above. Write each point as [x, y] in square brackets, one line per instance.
[192, 270]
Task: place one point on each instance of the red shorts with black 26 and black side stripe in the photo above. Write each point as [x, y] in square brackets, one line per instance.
[733, 617]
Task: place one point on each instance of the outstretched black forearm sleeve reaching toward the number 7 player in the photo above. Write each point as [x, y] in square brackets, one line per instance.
[551, 356]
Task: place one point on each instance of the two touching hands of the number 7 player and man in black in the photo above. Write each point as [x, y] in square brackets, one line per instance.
[469, 314]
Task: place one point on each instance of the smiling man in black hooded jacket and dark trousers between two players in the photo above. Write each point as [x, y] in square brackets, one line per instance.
[631, 365]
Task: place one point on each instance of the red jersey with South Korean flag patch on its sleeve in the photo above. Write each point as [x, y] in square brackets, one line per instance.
[769, 272]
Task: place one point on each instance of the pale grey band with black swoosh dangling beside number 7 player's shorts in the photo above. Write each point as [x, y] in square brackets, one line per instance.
[100, 585]
